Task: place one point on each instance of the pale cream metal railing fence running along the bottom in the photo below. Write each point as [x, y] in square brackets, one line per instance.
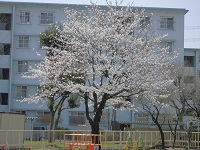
[112, 140]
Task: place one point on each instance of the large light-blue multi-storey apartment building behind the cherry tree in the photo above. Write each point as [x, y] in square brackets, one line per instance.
[20, 26]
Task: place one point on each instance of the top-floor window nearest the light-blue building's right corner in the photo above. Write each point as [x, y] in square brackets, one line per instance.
[166, 23]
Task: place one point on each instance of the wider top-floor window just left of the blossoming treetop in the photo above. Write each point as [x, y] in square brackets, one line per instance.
[47, 18]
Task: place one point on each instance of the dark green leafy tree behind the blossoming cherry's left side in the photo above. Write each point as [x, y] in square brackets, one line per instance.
[56, 99]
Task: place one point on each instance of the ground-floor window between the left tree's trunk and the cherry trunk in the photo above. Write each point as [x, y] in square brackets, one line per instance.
[77, 118]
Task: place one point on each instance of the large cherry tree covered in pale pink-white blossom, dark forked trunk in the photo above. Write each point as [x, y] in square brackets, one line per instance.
[115, 51]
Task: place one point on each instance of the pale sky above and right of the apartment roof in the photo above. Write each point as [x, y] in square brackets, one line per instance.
[192, 18]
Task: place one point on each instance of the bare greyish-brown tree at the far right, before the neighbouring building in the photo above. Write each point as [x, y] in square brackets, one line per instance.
[184, 98]
